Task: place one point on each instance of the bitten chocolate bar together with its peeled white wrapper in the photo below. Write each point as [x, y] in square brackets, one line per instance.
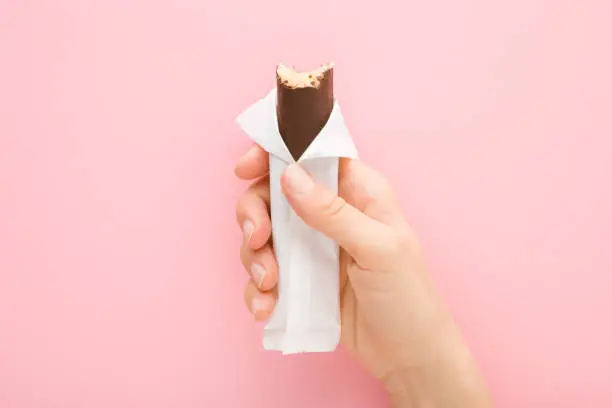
[300, 110]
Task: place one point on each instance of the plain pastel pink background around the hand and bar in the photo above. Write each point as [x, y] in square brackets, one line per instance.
[120, 283]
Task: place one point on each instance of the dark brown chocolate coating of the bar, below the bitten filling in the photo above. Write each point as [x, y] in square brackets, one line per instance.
[303, 112]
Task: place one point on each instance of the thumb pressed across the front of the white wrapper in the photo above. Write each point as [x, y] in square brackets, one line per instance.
[323, 210]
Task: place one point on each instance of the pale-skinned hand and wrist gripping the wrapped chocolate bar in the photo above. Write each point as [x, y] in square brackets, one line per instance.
[393, 320]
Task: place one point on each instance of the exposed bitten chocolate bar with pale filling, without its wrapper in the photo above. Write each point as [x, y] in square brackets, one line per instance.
[305, 101]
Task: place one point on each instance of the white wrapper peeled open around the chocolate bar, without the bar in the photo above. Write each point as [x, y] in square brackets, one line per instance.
[307, 315]
